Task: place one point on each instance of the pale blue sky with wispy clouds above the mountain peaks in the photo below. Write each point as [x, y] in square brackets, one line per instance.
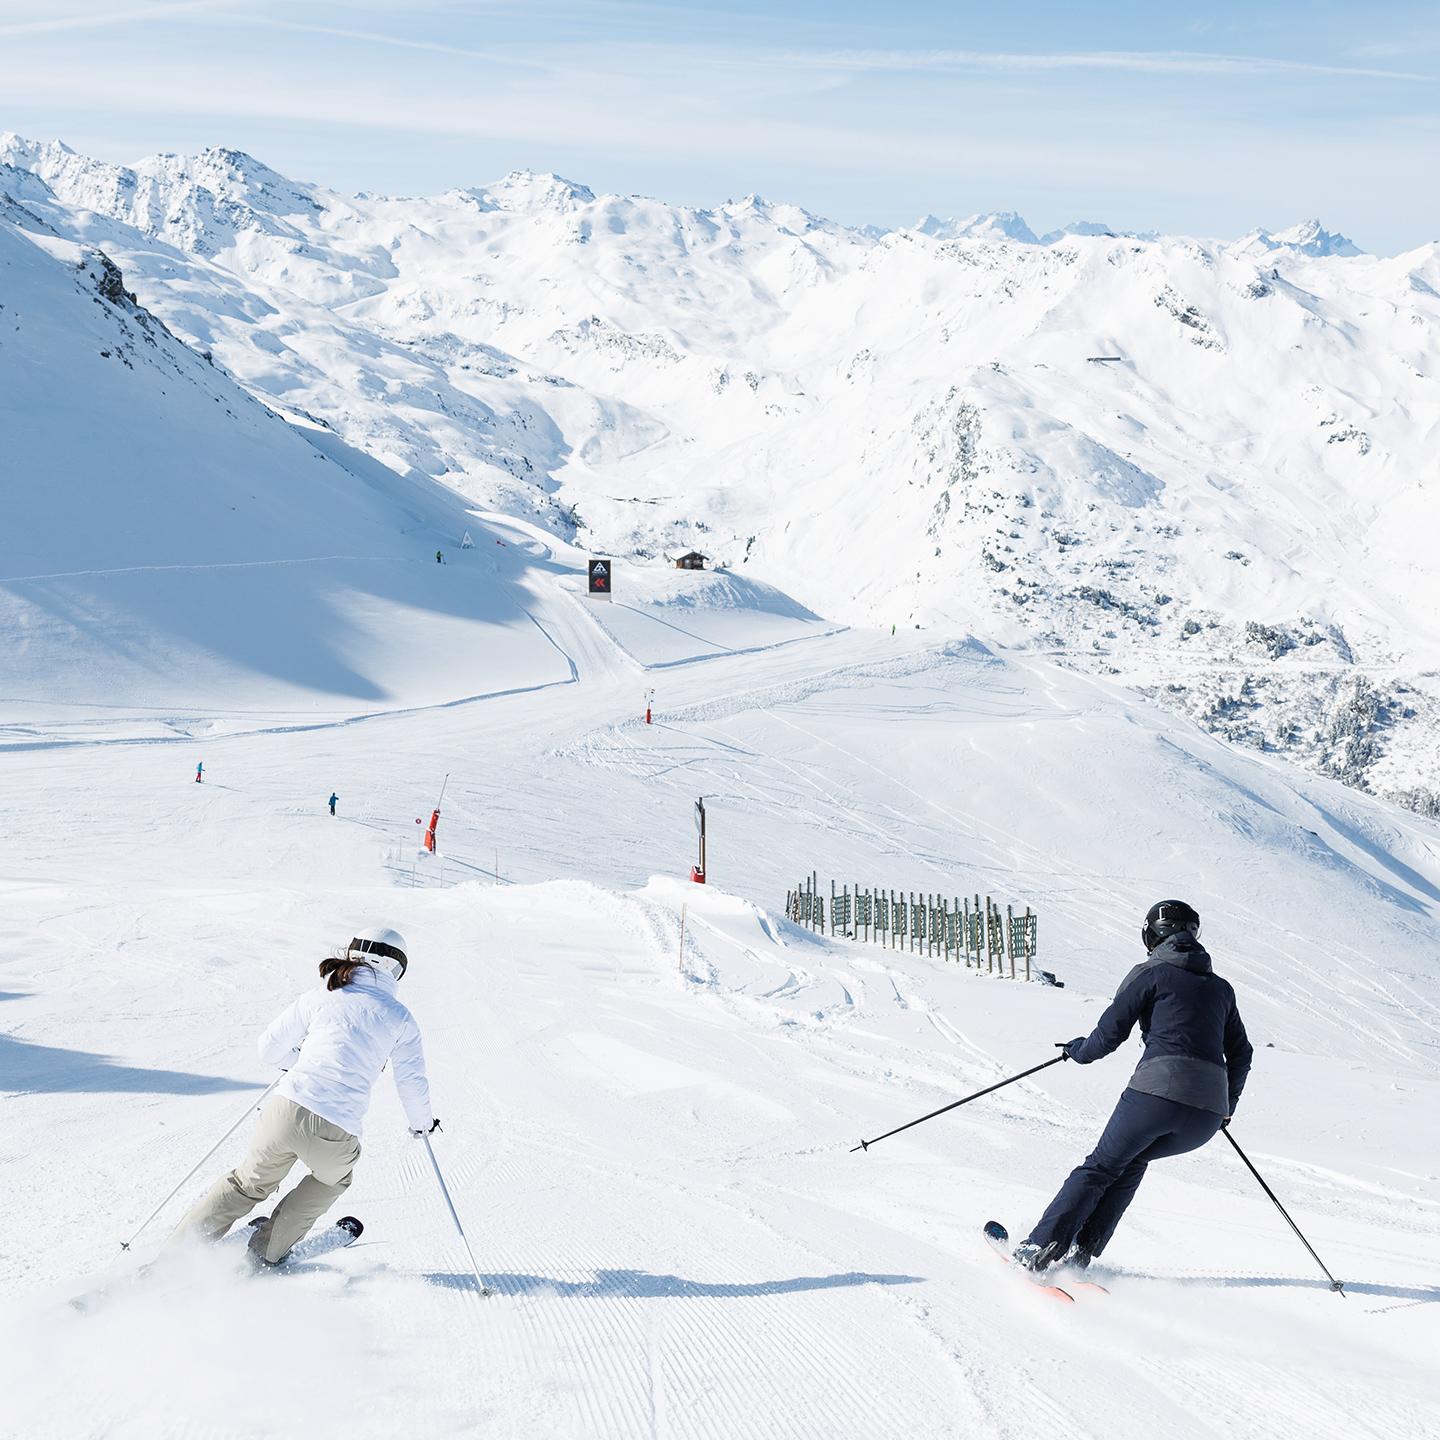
[1194, 120]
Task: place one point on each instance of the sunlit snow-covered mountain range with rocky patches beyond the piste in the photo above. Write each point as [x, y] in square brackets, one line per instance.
[1199, 466]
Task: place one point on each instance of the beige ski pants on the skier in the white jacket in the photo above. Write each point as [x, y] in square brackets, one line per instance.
[284, 1134]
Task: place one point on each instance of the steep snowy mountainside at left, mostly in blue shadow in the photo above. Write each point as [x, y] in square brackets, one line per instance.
[169, 538]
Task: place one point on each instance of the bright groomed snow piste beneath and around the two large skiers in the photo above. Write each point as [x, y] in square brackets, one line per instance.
[649, 1141]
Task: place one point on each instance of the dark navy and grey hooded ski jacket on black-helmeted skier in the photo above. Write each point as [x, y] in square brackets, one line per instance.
[1196, 1045]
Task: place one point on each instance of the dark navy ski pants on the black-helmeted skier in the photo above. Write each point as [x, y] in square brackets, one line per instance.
[1091, 1203]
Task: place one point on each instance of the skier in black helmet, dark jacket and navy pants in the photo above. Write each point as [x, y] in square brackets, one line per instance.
[1184, 1089]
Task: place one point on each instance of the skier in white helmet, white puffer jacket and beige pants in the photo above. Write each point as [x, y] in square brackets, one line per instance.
[332, 1043]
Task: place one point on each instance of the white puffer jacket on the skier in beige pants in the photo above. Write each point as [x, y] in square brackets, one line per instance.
[336, 1043]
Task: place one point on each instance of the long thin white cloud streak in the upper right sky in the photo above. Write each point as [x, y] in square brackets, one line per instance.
[1146, 63]
